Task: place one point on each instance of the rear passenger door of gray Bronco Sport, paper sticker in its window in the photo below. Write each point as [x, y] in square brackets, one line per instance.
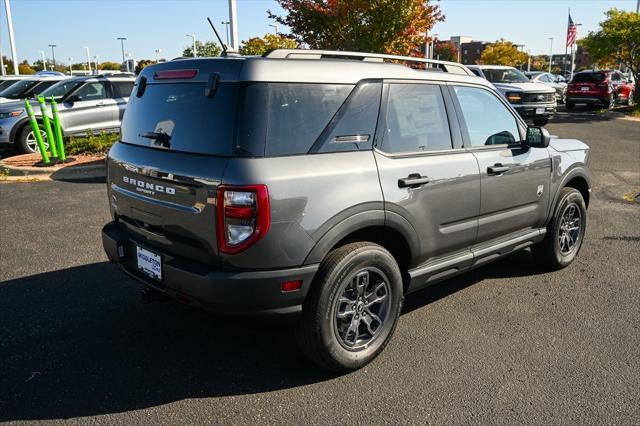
[425, 175]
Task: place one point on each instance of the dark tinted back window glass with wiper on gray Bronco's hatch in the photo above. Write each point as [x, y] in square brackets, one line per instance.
[193, 122]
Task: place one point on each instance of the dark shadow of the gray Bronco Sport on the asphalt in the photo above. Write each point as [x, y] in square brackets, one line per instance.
[81, 342]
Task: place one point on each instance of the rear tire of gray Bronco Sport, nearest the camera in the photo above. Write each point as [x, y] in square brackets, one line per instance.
[318, 331]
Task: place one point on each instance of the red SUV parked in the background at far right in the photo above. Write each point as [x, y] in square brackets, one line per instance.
[600, 87]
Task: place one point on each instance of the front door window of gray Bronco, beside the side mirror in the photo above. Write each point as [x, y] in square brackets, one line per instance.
[488, 120]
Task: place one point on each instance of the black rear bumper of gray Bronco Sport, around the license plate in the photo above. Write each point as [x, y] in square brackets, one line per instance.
[226, 292]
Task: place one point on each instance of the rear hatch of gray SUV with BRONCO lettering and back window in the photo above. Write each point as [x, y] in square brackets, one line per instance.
[177, 136]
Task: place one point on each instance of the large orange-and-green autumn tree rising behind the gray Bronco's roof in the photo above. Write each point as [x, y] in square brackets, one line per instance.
[380, 26]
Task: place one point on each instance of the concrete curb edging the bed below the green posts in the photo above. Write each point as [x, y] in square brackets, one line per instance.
[71, 172]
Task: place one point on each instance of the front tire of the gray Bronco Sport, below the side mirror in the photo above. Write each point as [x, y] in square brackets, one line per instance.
[552, 253]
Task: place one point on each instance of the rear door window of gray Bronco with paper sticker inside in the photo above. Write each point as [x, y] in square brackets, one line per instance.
[416, 119]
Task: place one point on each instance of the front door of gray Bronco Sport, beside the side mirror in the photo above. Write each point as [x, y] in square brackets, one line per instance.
[514, 178]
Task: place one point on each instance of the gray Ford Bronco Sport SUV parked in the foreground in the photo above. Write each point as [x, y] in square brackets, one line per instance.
[329, 185]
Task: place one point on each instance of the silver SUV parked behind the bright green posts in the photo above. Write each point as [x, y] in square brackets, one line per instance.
[85, 103]
